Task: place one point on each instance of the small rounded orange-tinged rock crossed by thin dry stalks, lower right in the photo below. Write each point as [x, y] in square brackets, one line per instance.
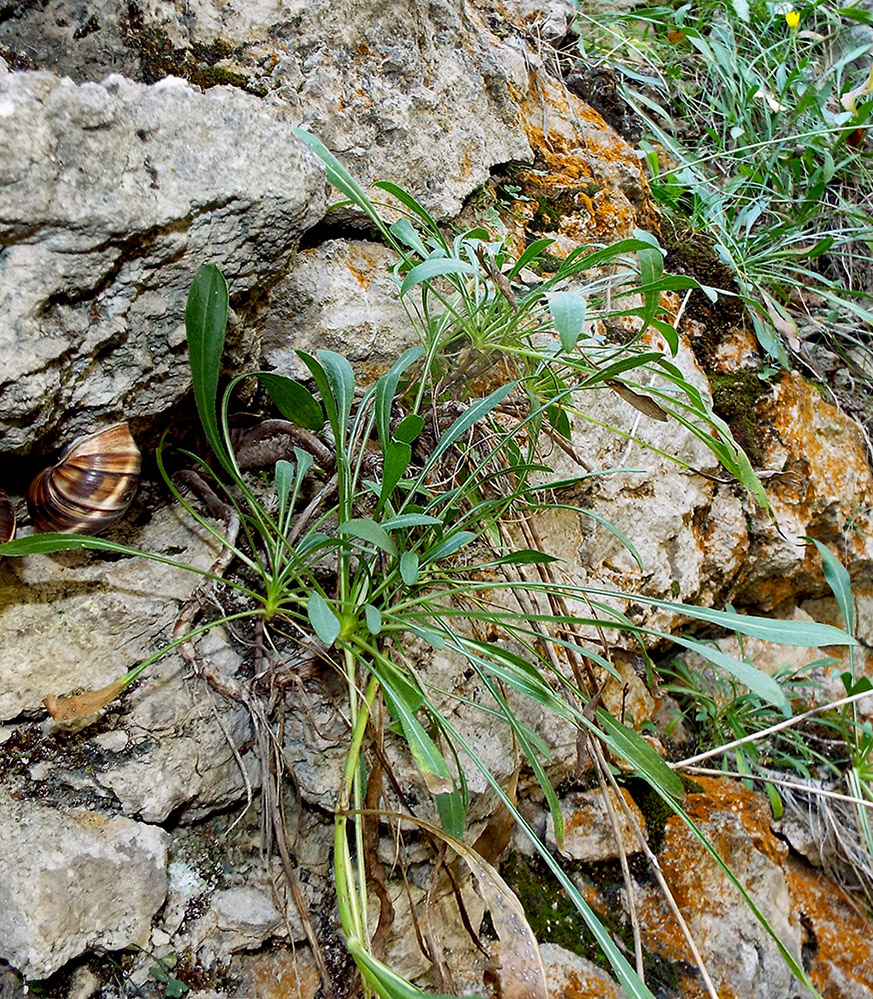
[589, 835]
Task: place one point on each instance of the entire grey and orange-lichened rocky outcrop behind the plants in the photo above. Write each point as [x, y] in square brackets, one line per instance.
[113, 194]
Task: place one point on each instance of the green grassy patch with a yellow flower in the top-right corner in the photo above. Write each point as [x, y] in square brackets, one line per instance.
[756, 120]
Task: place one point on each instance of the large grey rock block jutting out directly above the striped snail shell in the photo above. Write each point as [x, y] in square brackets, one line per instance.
[111, 197]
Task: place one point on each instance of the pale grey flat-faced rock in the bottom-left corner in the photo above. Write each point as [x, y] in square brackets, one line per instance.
[75, 881]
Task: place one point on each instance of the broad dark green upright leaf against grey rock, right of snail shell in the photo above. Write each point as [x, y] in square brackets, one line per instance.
[205, 326]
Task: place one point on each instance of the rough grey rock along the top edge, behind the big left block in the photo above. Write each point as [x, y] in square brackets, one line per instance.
[387, 85]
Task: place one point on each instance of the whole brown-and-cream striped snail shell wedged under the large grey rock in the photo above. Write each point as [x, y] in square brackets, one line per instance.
[91, 486]
